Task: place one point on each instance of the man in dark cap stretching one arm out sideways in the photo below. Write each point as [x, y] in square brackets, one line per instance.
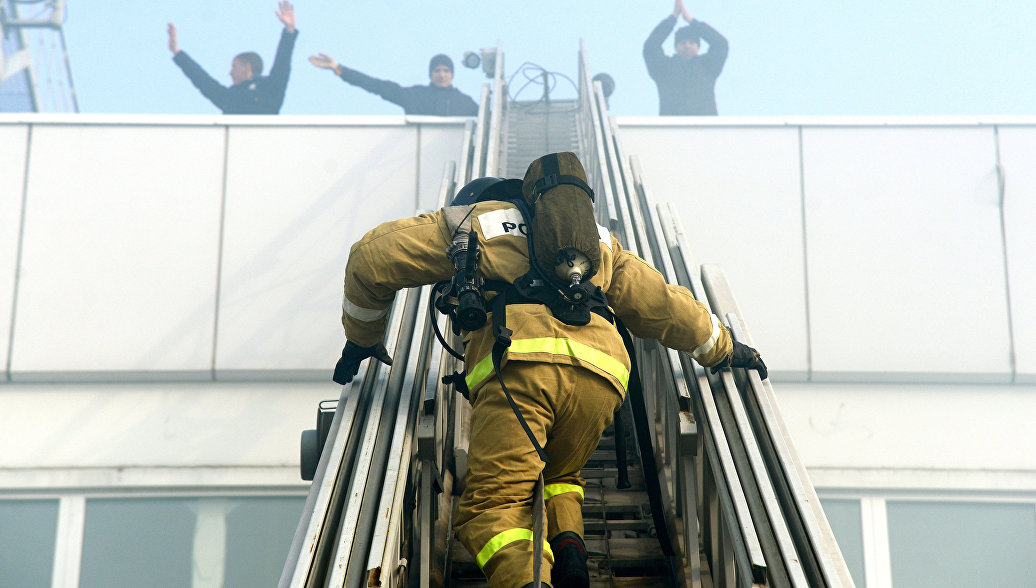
[439, 98]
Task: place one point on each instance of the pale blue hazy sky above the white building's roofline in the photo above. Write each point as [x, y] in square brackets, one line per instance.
[804, 57]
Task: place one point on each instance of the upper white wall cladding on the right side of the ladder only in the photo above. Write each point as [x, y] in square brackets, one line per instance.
[858, 251]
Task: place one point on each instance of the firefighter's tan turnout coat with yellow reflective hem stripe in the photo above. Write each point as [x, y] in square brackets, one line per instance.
[412, 252]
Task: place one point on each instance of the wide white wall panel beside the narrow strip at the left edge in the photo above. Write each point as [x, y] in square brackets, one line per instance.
[120, 260]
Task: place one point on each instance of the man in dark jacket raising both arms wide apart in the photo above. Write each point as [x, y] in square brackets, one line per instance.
[250, 92]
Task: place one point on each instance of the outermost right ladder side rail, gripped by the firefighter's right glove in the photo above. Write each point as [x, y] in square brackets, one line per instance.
[799, 502]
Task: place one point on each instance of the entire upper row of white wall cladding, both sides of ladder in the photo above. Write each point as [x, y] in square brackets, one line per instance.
[857, 252]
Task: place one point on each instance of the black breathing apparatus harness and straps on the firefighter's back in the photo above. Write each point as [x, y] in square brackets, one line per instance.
[464, 298]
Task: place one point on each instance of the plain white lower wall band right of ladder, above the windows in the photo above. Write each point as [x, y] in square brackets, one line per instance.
[934, 430]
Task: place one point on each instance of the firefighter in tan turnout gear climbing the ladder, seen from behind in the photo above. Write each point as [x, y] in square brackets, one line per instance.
[566, 381]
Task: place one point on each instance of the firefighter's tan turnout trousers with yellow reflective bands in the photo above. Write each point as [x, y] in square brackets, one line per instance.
[568, 408]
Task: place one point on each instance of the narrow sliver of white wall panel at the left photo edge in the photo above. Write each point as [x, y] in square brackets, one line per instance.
[13, 153]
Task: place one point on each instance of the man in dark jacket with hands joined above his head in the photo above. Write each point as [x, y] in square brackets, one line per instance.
[686, 81]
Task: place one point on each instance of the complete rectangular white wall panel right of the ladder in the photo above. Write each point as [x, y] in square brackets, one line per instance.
[905, 256]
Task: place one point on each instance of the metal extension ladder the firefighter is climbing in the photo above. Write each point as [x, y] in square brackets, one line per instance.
[716, 494]
